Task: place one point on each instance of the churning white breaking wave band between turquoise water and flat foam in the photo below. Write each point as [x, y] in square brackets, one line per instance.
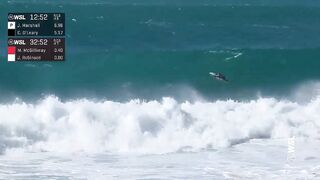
[154, 127]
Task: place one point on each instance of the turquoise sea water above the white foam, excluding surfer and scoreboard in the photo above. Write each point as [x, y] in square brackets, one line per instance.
[135, 49]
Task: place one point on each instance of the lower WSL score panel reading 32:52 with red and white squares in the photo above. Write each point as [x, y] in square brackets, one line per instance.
[36, 49]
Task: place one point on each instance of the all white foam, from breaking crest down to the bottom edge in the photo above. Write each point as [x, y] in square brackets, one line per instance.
[160, 139]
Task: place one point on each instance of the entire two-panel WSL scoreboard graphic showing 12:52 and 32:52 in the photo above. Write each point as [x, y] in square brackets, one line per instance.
[36, 37]
